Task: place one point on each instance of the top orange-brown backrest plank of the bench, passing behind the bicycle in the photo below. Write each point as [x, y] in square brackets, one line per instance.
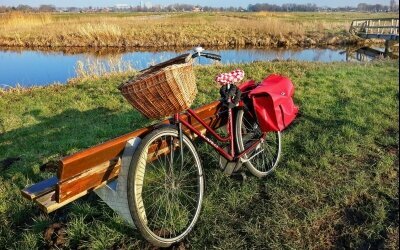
[82, 161]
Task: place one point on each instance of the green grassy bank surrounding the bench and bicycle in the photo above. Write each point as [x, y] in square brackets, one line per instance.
[335, 187]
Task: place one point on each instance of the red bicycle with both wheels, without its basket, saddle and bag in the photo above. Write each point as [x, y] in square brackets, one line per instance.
[166, 180]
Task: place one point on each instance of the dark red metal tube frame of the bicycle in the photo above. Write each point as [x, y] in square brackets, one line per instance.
[233, 156]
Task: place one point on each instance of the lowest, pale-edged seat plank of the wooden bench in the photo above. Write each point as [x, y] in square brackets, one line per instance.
[48, 202]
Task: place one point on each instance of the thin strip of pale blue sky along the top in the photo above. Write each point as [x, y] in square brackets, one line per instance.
[215, 3]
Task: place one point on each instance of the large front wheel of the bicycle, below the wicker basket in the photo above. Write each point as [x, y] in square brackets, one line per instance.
[165, 187]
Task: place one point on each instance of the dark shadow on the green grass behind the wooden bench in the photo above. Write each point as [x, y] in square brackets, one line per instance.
[56, 136]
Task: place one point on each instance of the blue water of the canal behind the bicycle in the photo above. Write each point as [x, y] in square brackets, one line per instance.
[32, 68]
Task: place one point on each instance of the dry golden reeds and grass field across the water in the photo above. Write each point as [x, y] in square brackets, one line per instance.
[177, 29]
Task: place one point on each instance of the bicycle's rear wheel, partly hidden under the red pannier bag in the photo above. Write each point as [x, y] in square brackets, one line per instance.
[262, 160]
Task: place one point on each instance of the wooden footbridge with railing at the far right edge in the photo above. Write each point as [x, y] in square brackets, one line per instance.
[384, 28]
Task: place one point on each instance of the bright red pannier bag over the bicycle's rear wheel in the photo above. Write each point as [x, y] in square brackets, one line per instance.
[273, 103]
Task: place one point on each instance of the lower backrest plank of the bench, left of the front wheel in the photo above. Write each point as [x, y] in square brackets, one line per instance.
[88, 180]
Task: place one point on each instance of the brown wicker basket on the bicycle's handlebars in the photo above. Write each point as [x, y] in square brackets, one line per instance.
[163, 89]
